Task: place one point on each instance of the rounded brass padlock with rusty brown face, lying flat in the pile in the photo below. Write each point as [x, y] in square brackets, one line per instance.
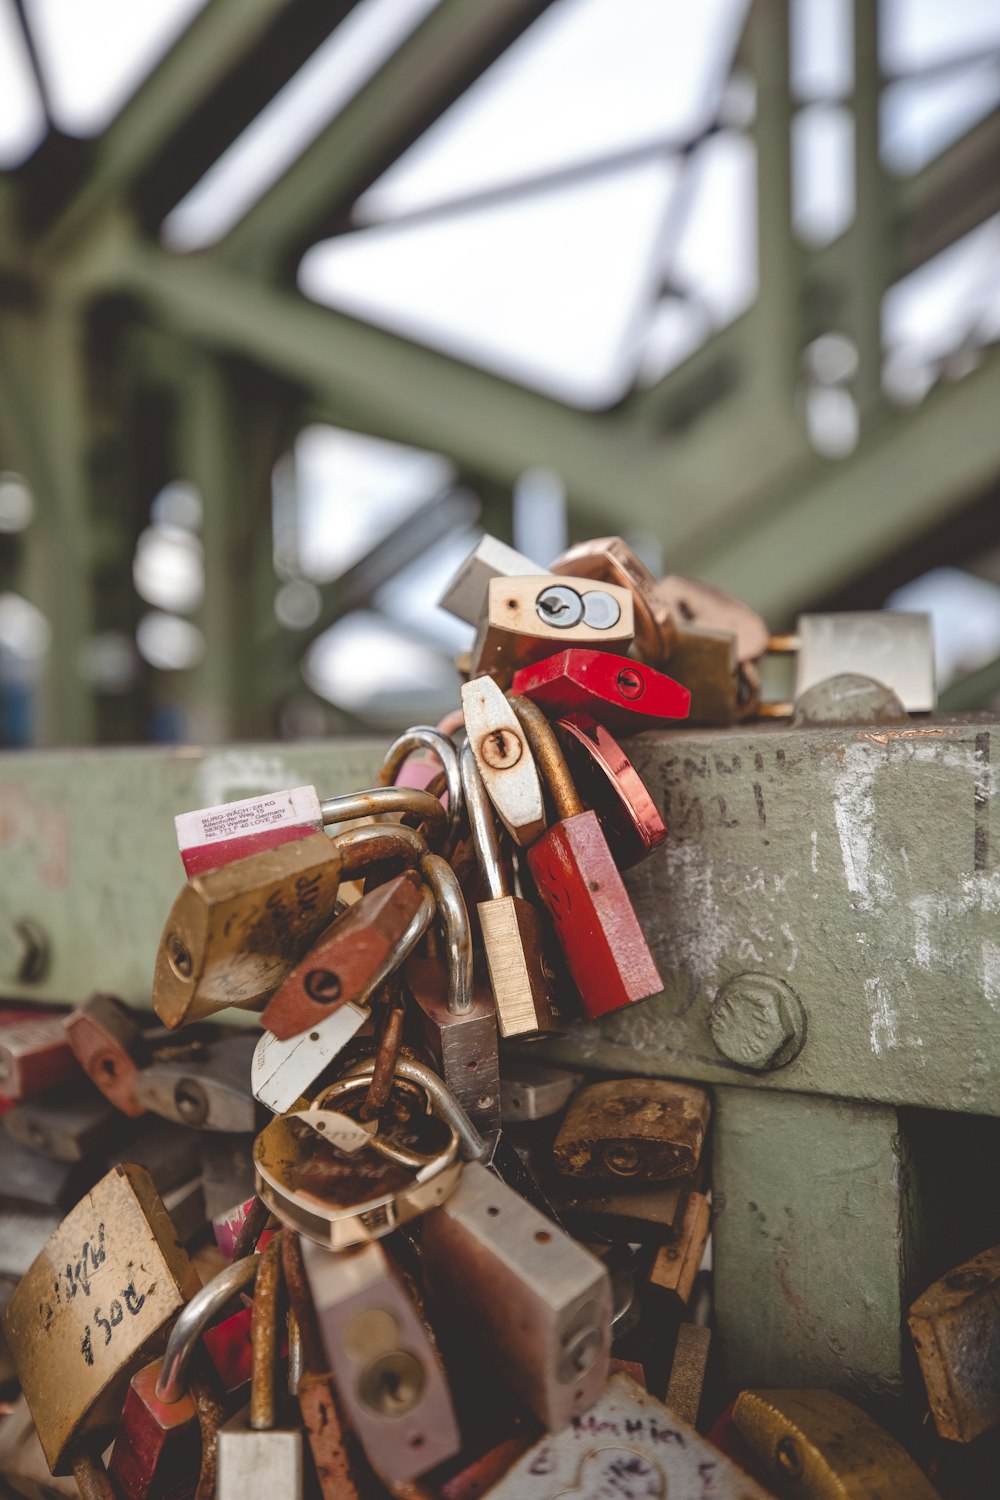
[361, 1183]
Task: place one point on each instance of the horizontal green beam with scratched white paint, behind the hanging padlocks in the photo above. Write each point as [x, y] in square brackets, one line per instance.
[860, 866]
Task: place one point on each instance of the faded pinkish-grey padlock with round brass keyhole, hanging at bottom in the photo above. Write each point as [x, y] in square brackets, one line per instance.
[389, 1378]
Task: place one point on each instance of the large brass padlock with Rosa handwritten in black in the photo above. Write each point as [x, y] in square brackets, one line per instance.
[94, 1307]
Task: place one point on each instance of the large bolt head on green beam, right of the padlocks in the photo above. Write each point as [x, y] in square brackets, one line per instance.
[758, 1022]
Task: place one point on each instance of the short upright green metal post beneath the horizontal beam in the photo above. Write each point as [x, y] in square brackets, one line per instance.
[818, 1244]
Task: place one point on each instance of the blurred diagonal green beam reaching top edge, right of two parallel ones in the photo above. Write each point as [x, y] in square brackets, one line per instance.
[428, 73]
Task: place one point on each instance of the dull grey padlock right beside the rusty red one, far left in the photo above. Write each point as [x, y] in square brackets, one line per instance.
[205, 1085]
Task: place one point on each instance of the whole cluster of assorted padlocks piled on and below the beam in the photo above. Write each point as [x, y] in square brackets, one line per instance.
[440, 1265]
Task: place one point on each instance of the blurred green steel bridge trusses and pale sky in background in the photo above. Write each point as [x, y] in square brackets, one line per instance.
[299, 296]
